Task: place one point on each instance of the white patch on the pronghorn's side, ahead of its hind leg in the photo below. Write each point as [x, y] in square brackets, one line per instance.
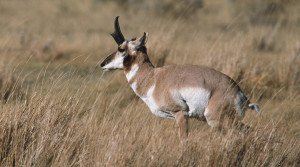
[195, 98]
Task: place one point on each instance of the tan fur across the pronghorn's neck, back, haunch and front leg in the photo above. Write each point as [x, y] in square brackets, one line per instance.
[222, 88]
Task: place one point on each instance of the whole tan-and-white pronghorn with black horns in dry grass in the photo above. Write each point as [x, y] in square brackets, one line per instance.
[178, 91]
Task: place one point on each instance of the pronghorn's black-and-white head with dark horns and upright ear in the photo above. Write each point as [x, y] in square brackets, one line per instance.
[127, 50]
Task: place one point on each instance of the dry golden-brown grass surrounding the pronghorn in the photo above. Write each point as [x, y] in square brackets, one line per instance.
[67, 113]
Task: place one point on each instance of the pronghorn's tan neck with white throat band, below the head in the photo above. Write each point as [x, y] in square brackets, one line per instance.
[139, 73]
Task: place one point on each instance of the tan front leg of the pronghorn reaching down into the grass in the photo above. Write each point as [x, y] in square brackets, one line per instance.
[182, 122]
